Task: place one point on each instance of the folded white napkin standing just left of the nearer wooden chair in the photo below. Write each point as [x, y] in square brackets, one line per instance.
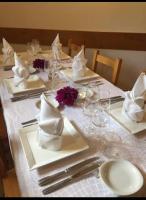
[79, 64]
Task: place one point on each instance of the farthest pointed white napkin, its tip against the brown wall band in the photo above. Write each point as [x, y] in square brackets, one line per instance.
[57, 48]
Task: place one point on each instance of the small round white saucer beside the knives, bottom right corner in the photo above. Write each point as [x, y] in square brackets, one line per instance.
[121, 176]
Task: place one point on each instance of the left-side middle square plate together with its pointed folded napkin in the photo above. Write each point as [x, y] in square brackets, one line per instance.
[23, 83]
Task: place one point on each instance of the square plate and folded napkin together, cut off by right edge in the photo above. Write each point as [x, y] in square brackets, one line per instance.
[130, 112]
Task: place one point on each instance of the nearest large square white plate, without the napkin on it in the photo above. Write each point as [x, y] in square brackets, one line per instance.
[73, 143]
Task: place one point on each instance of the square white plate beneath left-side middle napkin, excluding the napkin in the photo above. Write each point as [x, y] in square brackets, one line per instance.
[34, 84]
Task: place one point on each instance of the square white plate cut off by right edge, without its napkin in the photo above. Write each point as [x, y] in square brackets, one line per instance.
[125, 121]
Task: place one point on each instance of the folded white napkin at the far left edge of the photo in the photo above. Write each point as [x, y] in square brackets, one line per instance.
[8, 52]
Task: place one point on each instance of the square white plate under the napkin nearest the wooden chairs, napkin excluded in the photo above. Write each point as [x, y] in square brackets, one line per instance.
[89, 75]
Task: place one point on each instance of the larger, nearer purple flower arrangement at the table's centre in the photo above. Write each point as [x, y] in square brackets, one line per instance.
[66, 96]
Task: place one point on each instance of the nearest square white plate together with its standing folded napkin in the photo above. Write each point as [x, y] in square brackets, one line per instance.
[52, 138]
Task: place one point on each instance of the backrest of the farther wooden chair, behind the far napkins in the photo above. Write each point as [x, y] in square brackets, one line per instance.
[73, 48]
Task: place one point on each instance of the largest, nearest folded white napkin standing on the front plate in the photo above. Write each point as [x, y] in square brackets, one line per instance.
[51, 125]
